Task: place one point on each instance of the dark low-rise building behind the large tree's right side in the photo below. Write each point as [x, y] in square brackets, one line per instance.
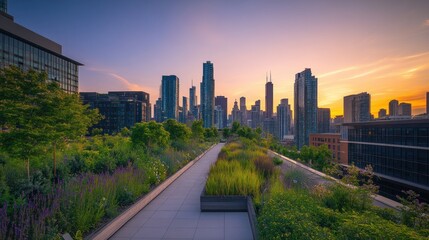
[120, 109]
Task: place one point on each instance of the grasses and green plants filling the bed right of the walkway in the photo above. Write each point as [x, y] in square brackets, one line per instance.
[290, 205]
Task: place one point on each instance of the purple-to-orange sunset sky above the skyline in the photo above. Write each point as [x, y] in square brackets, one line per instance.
[375, 46]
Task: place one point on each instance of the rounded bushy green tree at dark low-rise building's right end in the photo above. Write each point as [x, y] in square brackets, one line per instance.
[149, 135]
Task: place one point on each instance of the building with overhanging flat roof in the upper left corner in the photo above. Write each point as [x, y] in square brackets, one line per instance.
[26, 49]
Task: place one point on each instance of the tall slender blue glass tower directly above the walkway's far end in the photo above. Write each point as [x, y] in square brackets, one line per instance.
[207, 95]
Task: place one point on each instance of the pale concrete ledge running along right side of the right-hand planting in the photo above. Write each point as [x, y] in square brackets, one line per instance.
[378, 198]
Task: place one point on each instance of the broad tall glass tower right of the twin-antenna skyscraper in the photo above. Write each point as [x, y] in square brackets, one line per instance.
[305, 109]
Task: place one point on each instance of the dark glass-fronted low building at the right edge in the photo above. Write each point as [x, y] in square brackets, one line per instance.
[397, 150]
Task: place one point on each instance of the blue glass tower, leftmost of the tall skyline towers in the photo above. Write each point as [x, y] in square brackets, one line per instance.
[170, 97]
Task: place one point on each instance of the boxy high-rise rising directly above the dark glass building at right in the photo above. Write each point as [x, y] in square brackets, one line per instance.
[357, 108]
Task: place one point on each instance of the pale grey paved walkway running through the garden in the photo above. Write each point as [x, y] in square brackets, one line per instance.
[175, 213]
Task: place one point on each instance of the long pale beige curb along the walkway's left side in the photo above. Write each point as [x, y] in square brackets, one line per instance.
[113, 226]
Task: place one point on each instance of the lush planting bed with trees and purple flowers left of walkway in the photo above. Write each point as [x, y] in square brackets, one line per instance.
[55, 180]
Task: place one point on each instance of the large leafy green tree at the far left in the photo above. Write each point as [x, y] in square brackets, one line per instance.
[36, 113]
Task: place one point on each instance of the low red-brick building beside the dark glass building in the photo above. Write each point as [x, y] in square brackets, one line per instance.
[332, 140]
